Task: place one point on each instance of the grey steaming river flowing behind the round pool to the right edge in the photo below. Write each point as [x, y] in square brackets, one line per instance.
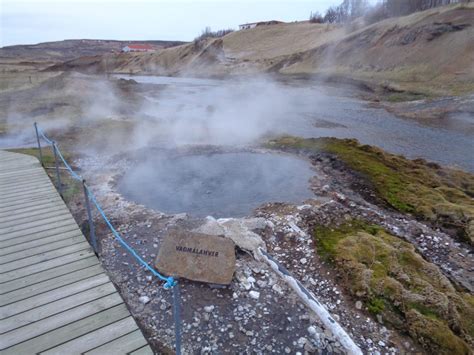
[257, 109]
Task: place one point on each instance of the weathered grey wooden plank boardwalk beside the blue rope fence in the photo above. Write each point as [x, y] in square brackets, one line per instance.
[55, 297]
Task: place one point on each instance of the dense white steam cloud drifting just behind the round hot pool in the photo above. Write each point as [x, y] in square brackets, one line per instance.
[235, 112]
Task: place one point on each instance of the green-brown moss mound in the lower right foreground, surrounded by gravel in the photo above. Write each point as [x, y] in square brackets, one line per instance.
[397, 283]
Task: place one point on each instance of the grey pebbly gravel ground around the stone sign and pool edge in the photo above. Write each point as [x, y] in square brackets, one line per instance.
[258, 312]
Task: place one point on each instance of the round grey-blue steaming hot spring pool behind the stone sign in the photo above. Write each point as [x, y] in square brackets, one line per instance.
[217, 184]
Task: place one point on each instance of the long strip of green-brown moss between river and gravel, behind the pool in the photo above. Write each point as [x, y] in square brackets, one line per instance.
[424, 189]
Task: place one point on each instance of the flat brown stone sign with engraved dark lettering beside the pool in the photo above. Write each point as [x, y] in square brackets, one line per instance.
[198, 257]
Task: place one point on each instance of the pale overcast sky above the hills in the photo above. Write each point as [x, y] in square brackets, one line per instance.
[34, 21]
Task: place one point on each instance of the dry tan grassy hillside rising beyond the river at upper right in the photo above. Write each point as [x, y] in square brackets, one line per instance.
[430, 52]
